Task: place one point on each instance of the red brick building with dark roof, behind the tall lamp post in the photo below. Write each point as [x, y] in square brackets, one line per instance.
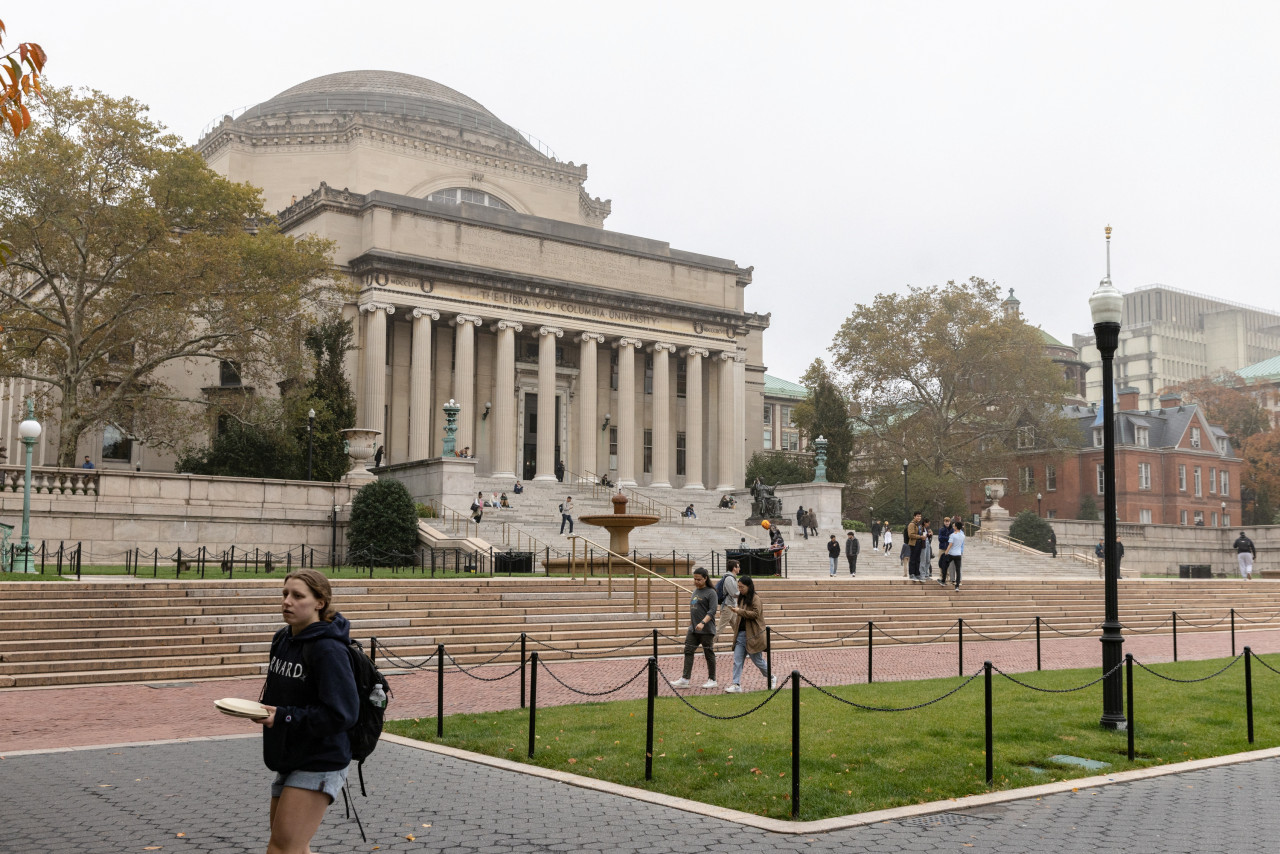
[1173, 468]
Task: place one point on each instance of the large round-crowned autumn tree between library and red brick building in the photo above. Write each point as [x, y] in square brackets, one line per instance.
[945, 378]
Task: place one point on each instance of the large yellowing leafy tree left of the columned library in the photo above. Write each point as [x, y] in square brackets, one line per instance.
[132, 257]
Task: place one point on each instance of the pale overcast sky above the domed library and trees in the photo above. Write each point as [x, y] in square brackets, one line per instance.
[842, 149]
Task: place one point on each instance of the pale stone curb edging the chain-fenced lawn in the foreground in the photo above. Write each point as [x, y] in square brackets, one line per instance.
[840, 823]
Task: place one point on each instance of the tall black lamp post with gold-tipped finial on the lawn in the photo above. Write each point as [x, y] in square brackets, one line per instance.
[1107, 305]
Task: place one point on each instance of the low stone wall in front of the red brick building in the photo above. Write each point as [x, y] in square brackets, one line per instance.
[1163, 549]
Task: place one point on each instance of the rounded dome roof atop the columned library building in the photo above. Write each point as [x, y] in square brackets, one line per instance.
[390, 94]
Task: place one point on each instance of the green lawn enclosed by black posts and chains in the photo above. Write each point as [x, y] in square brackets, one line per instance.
[856, 761]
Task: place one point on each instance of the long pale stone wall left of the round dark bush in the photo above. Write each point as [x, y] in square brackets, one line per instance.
[127, 510]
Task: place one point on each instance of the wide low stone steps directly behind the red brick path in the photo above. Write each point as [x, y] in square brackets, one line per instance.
[156, 632]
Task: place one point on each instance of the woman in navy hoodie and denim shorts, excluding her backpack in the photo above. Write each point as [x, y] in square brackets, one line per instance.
[312, 697]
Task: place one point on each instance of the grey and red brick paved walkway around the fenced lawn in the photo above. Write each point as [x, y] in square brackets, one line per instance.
[211, 794]
